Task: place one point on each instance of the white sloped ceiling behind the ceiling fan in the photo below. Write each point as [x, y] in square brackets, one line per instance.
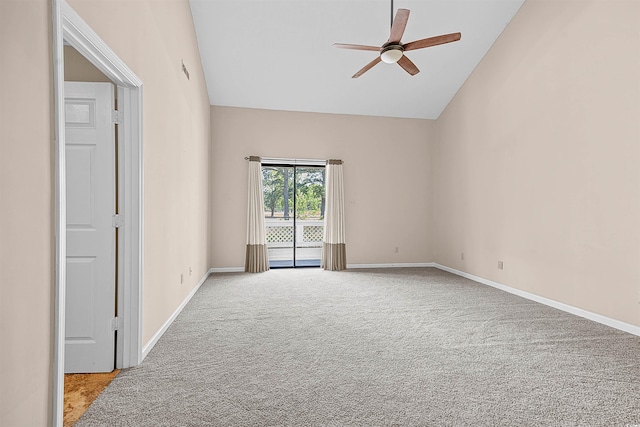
[278, 54]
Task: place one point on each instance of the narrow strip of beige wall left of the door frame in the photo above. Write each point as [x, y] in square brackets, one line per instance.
[26, 214]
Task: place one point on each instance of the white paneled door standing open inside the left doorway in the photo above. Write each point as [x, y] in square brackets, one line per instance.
[91, 236]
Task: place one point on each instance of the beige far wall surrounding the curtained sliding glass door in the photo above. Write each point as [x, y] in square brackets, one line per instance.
[387, 175]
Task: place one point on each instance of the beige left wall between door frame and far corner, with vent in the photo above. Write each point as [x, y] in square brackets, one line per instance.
[153, 38]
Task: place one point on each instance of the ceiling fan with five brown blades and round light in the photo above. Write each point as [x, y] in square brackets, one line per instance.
[393, 50]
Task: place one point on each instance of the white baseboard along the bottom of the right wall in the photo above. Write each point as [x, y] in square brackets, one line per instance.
[626, 327]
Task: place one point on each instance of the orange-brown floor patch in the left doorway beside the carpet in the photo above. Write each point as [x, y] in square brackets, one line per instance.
[80, 390]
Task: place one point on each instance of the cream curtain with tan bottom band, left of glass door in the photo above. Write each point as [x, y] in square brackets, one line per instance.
[257, 258]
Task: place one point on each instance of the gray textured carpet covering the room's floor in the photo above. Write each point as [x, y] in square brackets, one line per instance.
[388, 347]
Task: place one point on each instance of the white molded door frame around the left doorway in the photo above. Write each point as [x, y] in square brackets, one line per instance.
[69, 28]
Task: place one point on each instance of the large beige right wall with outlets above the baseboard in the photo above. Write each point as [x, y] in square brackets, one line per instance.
[537, 162]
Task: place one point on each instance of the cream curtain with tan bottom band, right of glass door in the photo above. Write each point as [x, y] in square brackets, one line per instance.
[334, 254]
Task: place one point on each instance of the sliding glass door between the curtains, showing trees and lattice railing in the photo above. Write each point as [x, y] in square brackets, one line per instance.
[294, 198]
